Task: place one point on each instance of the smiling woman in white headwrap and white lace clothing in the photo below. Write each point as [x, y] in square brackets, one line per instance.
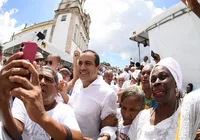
[172, 118]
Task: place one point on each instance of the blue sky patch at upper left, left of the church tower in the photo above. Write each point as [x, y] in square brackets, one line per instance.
[32, 11]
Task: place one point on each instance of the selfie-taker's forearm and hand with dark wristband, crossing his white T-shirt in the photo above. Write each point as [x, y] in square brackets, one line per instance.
[30, 94]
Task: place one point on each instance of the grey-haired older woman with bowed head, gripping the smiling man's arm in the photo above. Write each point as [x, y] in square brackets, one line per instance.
[131, 103]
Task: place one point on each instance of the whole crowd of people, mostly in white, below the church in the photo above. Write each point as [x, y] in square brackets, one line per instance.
[46, 101]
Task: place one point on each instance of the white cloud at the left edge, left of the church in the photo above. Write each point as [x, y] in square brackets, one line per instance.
[7, 23]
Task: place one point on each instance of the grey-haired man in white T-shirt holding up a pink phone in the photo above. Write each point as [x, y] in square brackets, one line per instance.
[35, 113]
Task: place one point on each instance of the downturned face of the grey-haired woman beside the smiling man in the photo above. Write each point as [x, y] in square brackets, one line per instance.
[130, 107]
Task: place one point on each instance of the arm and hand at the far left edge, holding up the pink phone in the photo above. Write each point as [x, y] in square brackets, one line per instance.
[13, 127]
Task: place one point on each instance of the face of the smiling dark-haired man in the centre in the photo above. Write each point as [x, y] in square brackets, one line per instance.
[87, 68]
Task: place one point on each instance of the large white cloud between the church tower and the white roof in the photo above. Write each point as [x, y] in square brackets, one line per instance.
[113, 22]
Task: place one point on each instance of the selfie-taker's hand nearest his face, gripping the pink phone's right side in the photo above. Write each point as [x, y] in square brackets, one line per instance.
[29, 92]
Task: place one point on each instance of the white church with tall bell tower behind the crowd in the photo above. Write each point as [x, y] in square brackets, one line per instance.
[68, 31]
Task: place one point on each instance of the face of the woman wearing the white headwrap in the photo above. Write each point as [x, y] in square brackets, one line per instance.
[163, 84]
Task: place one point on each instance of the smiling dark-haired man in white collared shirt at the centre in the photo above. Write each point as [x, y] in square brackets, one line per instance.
[93, 99]
